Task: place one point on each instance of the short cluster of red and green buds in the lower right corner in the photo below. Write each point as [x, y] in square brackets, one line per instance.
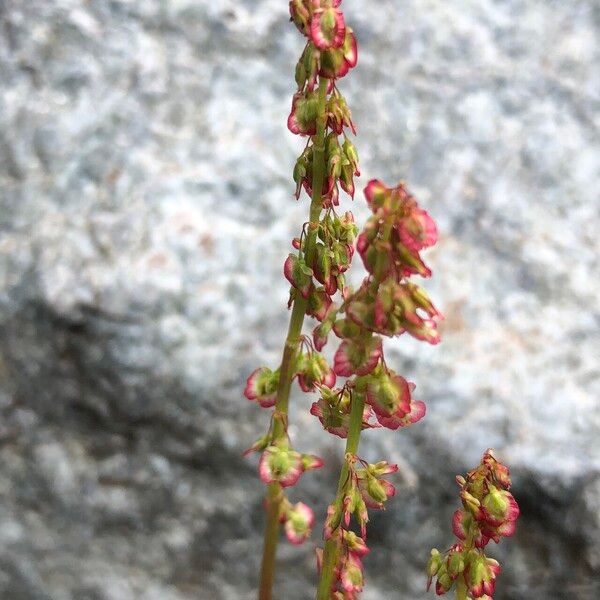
[489, 512]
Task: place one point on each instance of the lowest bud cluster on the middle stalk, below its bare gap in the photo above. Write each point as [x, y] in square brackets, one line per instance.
[364, 488]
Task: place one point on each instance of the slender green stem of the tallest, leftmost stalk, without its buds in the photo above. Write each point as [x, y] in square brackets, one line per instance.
[286, 370]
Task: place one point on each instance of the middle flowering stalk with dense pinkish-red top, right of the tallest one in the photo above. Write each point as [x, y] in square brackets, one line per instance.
[386, 304]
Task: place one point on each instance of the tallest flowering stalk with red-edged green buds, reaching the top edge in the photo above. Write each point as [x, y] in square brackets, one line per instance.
[324, 251]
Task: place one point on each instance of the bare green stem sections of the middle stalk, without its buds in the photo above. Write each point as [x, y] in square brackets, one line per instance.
[331, 545]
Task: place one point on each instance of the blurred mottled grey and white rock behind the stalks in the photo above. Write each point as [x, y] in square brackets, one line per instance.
[146, 210]
